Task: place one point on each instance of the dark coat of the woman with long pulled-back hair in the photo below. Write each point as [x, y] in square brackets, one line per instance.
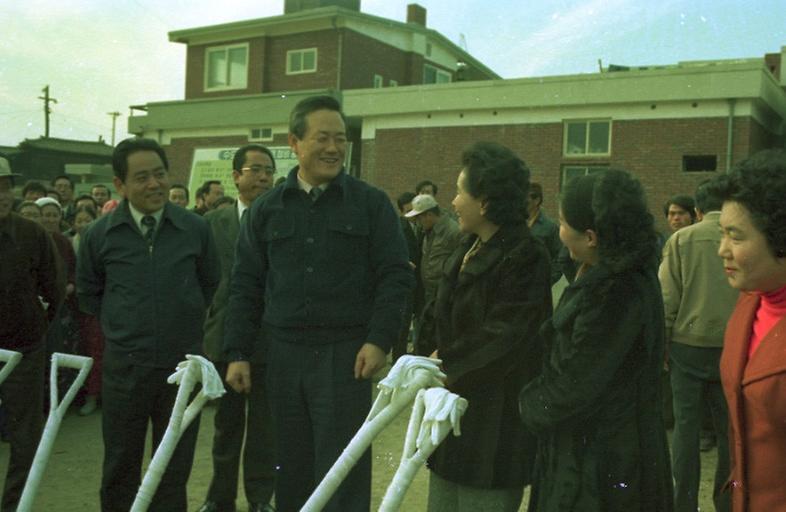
[596, 406]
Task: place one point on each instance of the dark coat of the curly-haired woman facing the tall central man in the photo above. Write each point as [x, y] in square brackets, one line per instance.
[487, 318]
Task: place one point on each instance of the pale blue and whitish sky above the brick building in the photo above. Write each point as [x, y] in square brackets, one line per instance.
[101, 56]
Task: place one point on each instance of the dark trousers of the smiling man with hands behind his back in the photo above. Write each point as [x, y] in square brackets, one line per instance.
[132, 397]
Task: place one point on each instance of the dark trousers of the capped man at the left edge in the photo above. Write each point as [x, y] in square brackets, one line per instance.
[22, 395]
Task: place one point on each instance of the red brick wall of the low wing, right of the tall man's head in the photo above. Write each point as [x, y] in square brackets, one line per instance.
[652, 150]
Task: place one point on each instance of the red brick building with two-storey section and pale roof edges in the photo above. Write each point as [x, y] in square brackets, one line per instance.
[415, 100]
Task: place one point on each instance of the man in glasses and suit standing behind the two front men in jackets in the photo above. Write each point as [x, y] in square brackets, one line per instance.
[253, 169]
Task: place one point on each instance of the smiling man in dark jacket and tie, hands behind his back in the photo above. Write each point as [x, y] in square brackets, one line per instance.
[148, 271]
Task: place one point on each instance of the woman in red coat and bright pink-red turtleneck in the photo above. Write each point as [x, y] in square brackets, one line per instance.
[753, 364]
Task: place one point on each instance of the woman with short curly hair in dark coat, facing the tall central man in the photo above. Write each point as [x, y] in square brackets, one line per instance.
[493, 298]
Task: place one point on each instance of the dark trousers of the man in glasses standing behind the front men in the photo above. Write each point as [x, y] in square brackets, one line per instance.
[237, 416]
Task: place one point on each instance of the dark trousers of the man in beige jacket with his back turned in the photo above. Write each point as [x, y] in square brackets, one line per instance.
[694, 378]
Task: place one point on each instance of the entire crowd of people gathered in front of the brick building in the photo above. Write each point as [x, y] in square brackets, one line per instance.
[298, 290]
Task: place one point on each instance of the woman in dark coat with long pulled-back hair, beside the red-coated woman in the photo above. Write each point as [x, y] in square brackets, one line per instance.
[596, 407]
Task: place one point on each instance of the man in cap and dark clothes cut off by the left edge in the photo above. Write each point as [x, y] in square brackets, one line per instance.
[30, 275]
